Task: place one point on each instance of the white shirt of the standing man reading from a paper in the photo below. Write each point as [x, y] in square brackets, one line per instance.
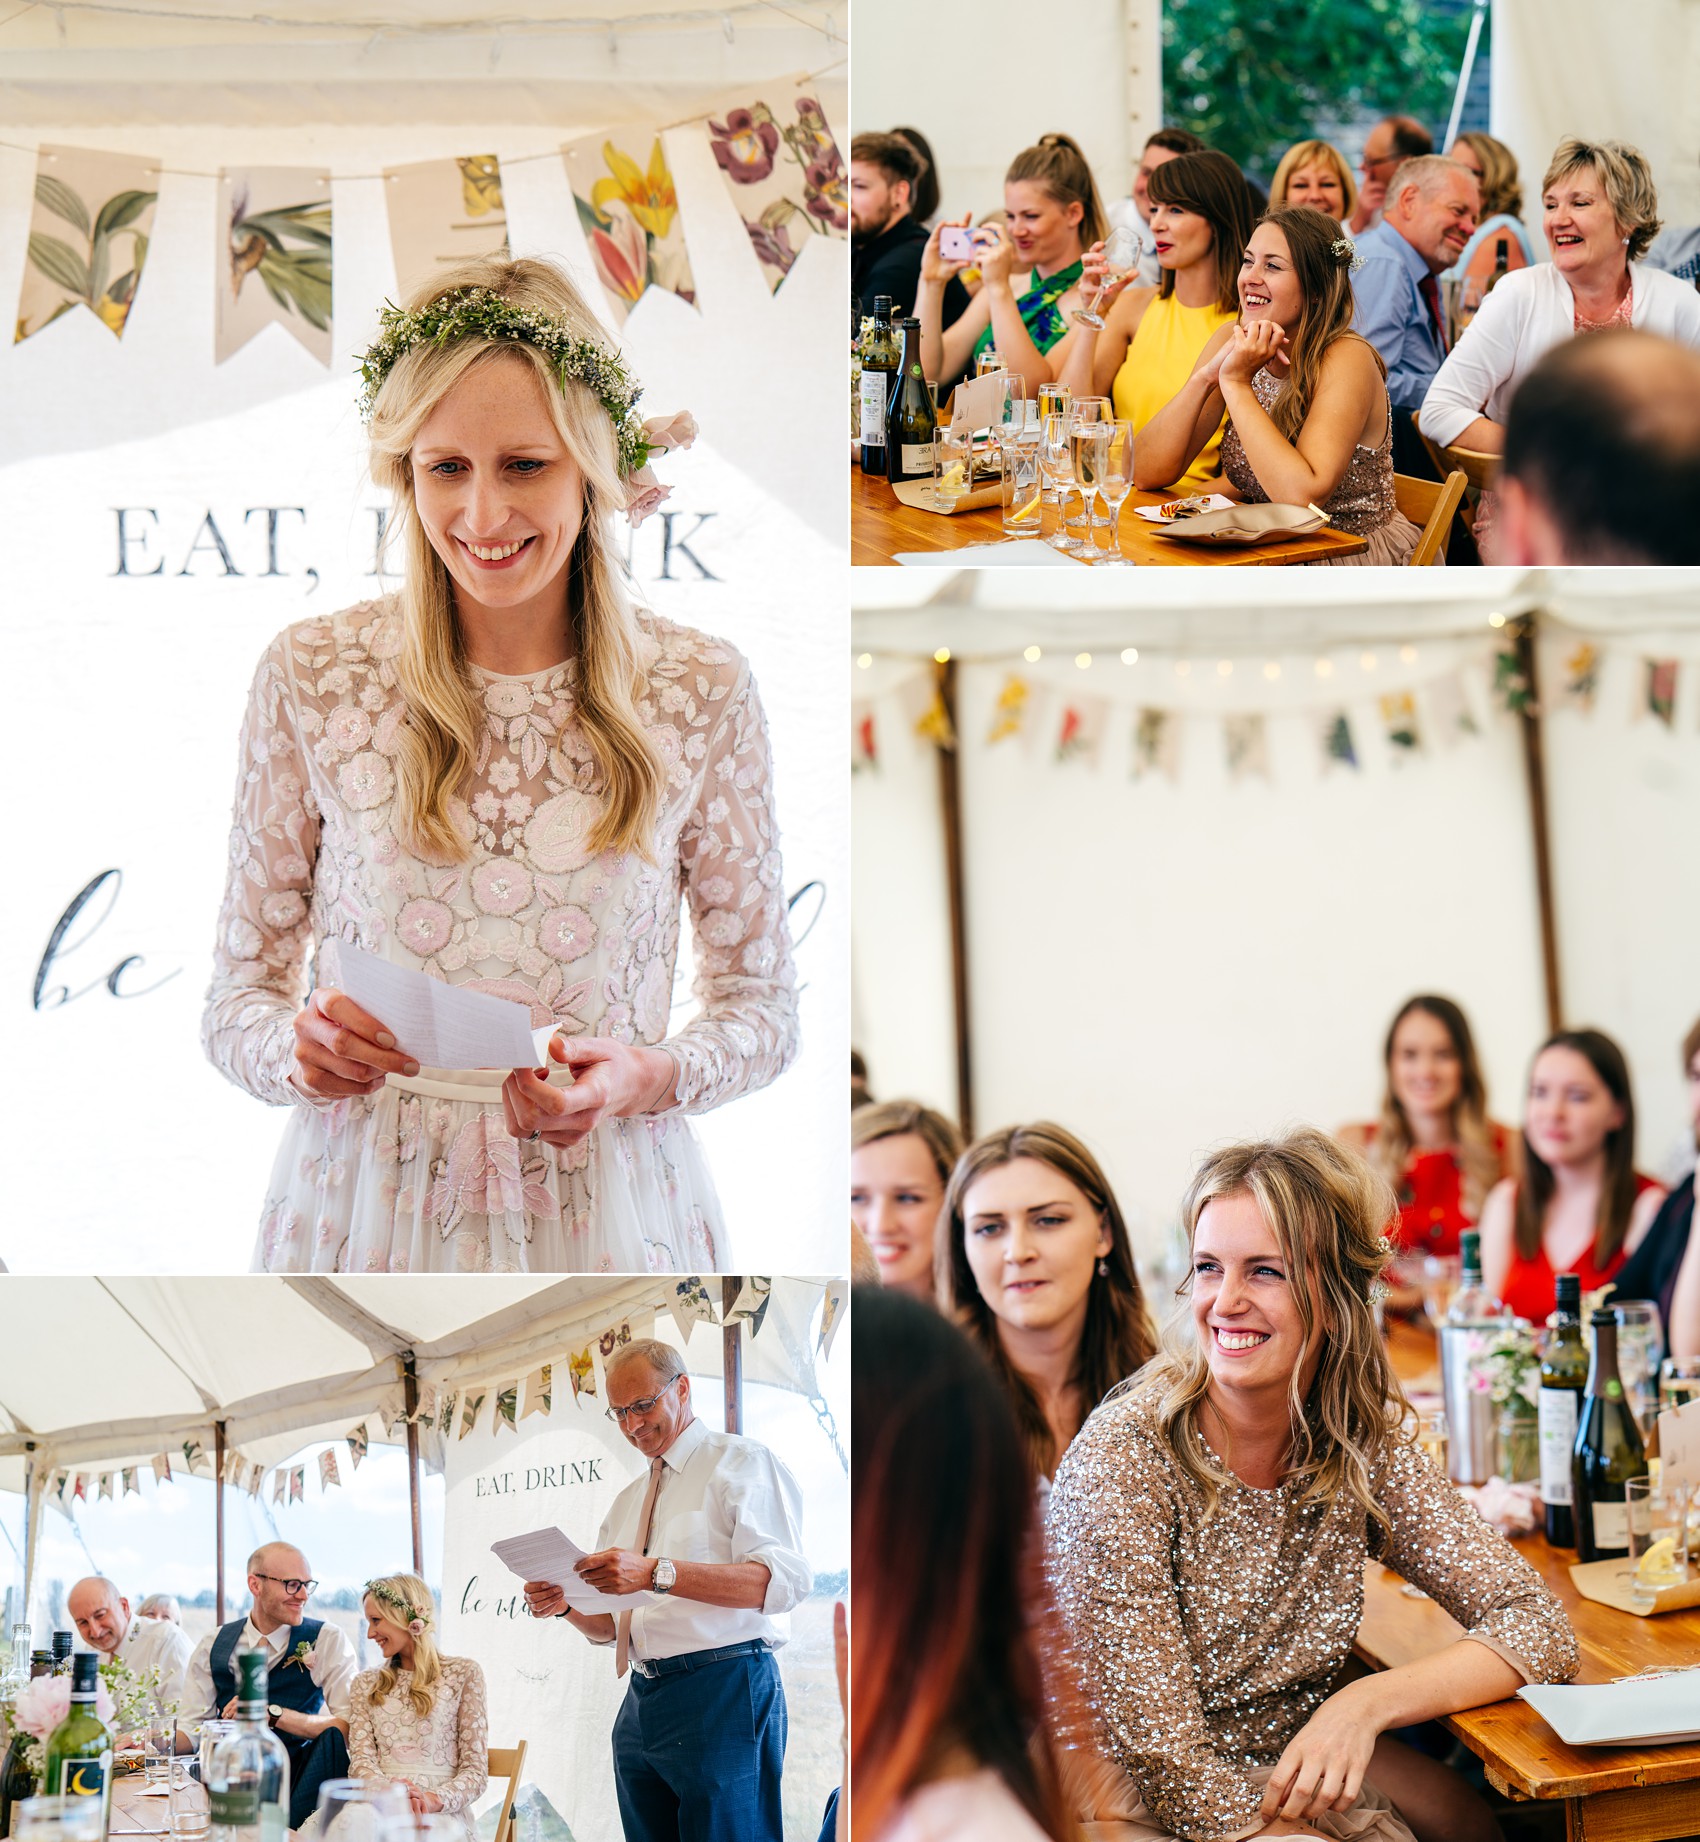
[721, 1498]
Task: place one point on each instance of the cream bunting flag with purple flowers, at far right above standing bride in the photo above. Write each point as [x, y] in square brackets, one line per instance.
[786, 176]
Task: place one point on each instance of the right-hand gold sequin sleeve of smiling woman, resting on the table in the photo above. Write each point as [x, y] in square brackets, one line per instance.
[1441, 1545]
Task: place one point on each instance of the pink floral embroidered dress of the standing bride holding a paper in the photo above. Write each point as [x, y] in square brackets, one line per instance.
[425, 1176]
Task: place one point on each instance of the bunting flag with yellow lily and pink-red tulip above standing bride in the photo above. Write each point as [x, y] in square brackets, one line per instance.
[631, 216]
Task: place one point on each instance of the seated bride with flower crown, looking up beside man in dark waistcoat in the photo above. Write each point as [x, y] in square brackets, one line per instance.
[421, 1721]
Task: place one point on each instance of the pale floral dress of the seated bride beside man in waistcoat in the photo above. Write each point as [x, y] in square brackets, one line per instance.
[445, 1751]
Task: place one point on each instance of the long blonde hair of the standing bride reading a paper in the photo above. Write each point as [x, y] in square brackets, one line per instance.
[439, 740]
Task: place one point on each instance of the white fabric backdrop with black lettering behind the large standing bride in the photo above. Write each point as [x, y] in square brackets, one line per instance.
[130, 690]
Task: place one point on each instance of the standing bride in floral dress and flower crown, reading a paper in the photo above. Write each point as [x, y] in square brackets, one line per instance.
[509, 780]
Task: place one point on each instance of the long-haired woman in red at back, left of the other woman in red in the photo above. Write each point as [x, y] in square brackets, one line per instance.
[1434, 1143]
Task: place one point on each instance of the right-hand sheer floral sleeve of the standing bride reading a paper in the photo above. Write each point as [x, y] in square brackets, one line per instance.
[747, 1031]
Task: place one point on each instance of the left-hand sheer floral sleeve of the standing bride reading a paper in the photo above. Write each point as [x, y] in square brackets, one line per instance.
[264, 929]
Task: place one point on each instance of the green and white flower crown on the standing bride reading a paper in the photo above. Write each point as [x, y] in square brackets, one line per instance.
[483, 314]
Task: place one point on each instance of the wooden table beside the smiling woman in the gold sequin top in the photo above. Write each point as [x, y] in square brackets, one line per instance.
[1609, 1793]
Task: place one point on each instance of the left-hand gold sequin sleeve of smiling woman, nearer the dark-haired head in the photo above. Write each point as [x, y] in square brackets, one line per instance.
[1115, 1535]
